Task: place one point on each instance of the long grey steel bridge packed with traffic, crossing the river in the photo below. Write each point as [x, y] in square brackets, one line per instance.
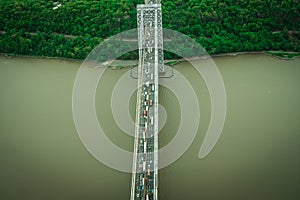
[151, 65]
